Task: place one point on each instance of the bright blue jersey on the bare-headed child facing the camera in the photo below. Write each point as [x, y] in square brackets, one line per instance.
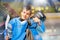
[18, 28]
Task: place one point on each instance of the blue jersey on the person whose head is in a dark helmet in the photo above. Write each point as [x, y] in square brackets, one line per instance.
[35, 29]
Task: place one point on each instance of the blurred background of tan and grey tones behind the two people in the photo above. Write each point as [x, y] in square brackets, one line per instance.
[51, 8]
